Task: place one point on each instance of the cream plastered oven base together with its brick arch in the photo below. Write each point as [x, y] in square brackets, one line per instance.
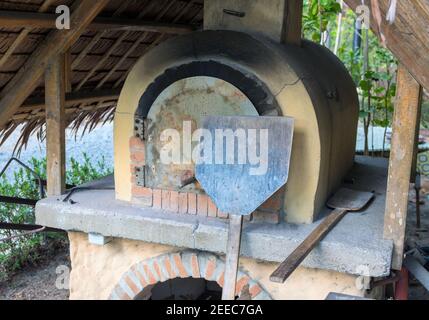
[123, 269]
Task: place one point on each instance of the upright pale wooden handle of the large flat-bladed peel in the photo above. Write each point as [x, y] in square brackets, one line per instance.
[232, 255]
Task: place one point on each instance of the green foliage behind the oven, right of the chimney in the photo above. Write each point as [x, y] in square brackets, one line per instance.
[372, 67]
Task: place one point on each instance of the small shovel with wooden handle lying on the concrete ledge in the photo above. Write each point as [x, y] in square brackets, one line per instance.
[345, 200]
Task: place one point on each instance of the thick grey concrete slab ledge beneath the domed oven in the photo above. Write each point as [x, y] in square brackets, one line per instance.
[354, 246]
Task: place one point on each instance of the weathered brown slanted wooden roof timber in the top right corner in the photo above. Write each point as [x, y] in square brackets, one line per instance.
[407, 37]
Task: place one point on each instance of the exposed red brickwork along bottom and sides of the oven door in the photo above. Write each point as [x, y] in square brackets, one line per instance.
[186, 202]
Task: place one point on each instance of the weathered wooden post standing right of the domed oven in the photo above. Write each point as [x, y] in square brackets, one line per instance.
[404, 125]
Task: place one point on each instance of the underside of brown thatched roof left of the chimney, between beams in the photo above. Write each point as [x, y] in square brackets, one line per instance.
[100, 59]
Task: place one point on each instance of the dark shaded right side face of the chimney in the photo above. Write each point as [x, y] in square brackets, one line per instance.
[292, 28]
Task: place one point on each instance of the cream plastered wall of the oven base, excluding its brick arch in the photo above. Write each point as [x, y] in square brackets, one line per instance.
[96, 270]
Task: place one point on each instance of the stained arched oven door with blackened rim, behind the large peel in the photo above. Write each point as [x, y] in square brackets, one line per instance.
[185, 94]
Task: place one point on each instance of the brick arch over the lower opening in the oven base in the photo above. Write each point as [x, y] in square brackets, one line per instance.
[185, 264]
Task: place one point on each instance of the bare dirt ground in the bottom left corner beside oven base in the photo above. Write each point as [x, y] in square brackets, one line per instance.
[37, 282]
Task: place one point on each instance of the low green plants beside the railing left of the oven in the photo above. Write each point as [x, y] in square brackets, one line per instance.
[22, 250]
